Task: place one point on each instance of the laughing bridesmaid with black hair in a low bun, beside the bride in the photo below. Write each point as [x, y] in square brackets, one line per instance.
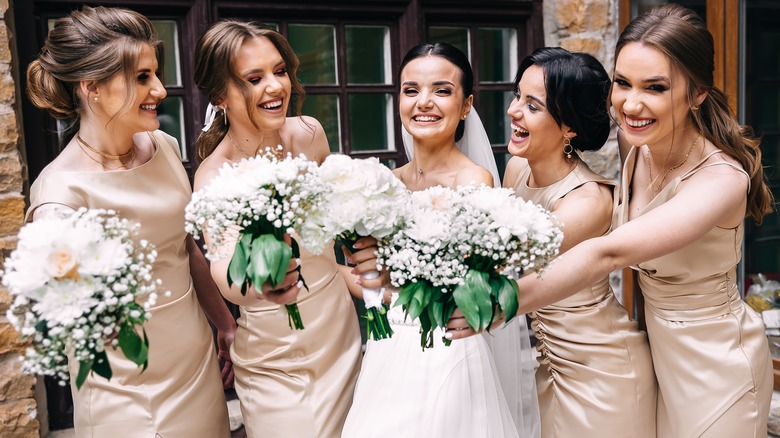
[595, 372]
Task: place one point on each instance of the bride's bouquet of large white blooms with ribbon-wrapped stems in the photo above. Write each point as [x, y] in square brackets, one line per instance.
[364, 199]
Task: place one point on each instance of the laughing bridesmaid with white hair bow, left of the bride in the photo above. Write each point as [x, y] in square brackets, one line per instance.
[290, 383]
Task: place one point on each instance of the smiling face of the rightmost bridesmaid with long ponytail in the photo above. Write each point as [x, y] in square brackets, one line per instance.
[649, 96]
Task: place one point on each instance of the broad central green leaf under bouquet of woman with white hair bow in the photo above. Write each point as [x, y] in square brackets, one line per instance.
[269, 259]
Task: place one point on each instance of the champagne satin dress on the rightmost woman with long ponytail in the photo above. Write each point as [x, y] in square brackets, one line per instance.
[710, 353]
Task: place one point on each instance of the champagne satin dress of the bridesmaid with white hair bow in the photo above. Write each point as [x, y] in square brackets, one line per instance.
[299, 383]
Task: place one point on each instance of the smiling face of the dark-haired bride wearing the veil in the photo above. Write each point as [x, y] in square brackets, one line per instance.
[431, 102]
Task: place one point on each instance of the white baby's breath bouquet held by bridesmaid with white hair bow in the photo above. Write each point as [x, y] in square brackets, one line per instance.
[256, 202]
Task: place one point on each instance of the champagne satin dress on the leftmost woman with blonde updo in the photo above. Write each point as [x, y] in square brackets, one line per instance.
[180, 394]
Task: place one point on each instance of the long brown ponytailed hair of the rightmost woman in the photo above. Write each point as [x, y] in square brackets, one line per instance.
[682, 36]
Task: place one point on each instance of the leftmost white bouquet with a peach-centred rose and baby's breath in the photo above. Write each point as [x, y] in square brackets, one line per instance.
[80, 283]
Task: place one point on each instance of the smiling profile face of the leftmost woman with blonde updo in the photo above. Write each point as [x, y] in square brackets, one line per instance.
[140, 114]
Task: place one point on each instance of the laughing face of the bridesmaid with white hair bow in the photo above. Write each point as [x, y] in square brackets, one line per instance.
[263, 72]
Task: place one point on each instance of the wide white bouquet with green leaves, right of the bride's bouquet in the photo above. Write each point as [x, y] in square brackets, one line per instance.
[464, 248]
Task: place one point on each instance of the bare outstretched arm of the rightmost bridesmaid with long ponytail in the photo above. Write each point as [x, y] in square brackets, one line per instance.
[706, 200]
